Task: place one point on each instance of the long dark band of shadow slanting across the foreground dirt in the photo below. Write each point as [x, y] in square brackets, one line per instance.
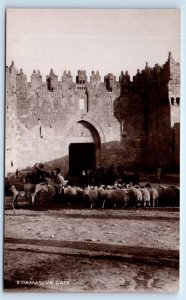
[117, 252]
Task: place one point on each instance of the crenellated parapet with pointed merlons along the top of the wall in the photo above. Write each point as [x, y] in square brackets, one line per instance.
[142, 81]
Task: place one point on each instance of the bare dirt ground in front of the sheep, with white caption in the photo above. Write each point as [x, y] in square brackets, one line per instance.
[82, 250]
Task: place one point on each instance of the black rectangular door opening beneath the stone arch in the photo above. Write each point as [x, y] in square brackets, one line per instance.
[81, 157]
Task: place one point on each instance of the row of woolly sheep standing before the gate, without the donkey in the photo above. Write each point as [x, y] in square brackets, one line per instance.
[119, 196]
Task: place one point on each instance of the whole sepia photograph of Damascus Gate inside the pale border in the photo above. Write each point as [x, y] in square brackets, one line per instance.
[92, 145]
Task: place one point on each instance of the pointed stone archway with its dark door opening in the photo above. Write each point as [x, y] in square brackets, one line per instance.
[83, 139]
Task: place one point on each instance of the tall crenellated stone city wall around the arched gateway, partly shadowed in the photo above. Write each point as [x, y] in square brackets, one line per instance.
[126, 120]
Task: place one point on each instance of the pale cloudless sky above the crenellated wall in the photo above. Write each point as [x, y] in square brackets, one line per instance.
[108, 40]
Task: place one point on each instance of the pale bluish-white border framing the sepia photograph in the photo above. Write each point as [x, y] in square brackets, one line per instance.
[99, 4]
